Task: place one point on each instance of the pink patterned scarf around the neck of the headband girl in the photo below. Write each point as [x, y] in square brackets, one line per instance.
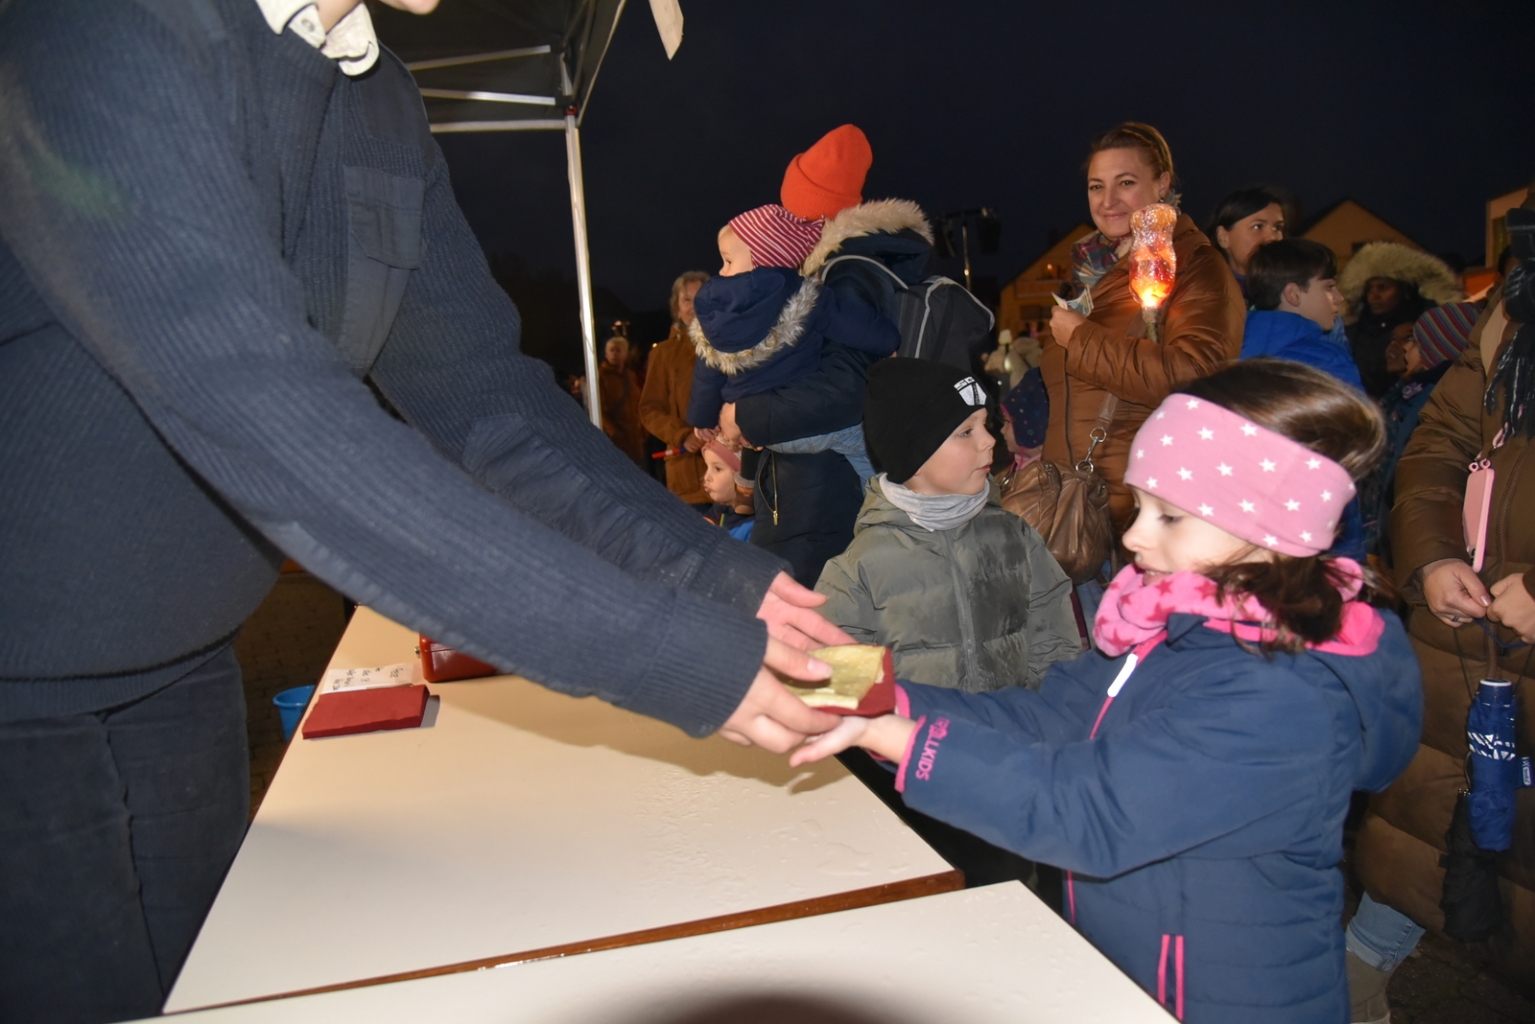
[1135, 612]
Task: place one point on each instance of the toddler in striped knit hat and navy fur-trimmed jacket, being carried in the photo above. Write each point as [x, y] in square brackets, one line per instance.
[761, 326]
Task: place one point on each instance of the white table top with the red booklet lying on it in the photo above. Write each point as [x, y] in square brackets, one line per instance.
[521, 821]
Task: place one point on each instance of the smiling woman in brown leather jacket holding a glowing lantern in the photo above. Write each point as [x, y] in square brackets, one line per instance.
[1108, 354]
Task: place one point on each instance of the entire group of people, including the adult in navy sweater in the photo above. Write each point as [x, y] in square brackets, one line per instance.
[226, 233]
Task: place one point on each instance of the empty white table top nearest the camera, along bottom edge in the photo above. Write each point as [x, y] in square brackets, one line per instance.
[992, 956]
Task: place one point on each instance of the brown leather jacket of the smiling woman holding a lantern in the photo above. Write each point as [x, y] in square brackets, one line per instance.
[1111, 354]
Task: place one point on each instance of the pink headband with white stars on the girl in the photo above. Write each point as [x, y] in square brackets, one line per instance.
[1247, 480]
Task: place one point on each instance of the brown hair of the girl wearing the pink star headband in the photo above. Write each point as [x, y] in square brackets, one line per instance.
[1333, 420]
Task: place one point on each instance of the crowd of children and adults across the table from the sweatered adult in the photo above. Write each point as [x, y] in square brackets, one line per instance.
[1390, 394]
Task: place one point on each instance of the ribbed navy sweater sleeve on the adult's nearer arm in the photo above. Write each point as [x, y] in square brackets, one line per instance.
[125, 199]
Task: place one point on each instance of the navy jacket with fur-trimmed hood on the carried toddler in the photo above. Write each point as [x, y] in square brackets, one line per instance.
[765, 329]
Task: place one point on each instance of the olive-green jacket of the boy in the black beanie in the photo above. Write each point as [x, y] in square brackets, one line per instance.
[979, 607]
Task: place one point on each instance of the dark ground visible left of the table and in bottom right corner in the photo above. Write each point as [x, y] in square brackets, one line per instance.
[291, 638]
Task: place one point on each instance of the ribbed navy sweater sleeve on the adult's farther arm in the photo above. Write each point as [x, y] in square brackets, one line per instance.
[454, 369]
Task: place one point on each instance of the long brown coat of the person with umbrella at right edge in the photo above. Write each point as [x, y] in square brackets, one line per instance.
[1404, 833]
